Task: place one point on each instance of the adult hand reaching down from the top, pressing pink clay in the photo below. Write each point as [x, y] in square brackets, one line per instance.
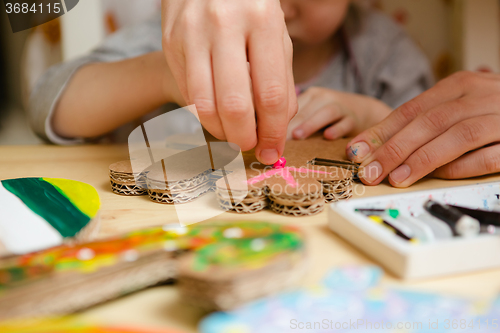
[233, 60]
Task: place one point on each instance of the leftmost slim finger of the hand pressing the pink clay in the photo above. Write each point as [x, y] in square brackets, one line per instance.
[201, 91]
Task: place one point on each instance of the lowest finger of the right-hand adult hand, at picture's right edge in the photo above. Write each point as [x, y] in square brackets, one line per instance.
[477, 163]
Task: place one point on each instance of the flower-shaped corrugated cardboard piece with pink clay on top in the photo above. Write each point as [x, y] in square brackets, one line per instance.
[299, 189]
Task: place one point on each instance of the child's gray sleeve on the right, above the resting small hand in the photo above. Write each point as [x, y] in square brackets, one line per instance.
[392, 67]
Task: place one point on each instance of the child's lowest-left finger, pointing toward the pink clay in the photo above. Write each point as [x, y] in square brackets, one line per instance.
[317, 120]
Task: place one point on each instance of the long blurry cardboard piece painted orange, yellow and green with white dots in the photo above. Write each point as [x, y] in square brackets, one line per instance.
[219, 266]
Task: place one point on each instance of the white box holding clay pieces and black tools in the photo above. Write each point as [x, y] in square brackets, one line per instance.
[408, 235]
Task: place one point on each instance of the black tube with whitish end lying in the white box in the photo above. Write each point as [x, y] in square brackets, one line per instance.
[461, 224]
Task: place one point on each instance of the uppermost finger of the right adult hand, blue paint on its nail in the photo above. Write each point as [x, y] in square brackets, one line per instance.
[362, 146]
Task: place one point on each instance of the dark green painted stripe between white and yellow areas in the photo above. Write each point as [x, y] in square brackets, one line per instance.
[45, 200]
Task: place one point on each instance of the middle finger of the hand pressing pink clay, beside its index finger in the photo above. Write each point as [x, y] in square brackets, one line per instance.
[232, 89]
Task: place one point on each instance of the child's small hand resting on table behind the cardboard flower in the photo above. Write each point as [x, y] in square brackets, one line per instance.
[348, 114]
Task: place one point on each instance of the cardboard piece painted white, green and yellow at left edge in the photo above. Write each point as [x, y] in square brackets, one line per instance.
[39, 213]
